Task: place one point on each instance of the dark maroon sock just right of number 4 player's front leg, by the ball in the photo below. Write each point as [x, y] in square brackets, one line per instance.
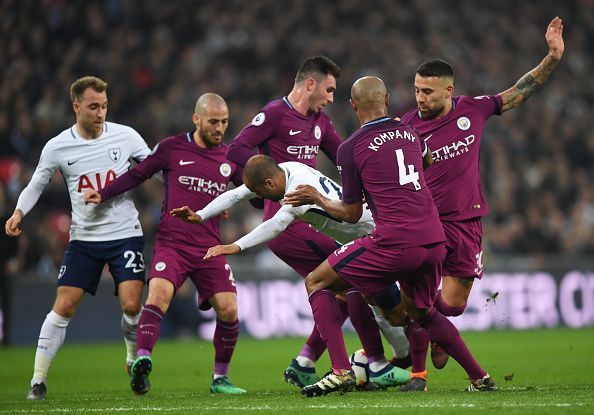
[364, 322]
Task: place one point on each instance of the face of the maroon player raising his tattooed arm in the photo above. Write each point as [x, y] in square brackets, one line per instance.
[432, 94]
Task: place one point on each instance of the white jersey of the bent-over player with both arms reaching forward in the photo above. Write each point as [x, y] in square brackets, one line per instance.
[296, 173]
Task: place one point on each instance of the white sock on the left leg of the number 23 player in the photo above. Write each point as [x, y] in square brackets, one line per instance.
[51, 337]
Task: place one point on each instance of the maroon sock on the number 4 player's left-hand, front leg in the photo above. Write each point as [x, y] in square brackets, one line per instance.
[328, 317]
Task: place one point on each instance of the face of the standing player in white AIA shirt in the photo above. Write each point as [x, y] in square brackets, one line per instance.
[91, 111]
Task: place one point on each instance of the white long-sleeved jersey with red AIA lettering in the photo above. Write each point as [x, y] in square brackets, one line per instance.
[91, 164]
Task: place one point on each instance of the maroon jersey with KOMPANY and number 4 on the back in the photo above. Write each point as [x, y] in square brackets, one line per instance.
[383, 161]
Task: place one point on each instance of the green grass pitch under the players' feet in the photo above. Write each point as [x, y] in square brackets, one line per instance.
[550, 372]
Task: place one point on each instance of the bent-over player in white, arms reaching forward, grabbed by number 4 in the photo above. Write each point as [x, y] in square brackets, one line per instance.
[270, 180]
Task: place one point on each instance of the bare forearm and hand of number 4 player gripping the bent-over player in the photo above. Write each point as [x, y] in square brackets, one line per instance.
[305, 194]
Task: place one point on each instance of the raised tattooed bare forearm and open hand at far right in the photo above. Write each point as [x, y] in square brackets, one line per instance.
[534, 80]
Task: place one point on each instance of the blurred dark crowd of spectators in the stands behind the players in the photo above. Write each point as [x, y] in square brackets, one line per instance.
[159, 56]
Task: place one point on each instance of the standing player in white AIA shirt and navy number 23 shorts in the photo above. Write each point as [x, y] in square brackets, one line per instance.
[89, 154]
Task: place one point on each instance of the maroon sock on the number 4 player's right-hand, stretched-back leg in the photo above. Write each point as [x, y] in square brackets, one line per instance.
[446, 335]
